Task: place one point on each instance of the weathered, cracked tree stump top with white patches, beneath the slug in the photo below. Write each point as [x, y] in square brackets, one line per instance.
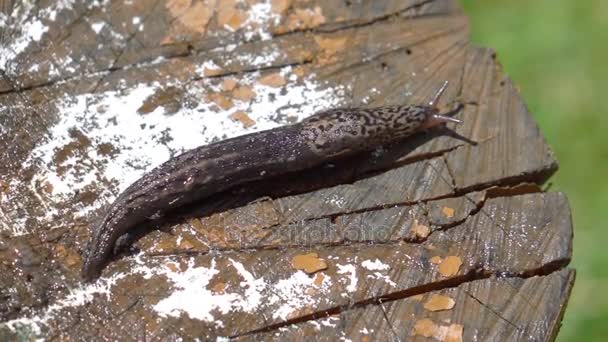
[94, 94]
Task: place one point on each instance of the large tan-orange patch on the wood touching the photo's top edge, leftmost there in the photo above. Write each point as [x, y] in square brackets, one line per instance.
[191, 19]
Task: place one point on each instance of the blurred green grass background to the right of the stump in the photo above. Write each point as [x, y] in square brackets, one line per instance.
[556, 51]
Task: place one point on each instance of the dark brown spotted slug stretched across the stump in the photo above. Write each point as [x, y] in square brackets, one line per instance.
[207, 170]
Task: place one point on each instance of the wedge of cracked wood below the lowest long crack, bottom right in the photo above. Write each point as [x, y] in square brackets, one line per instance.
[488, 310]
